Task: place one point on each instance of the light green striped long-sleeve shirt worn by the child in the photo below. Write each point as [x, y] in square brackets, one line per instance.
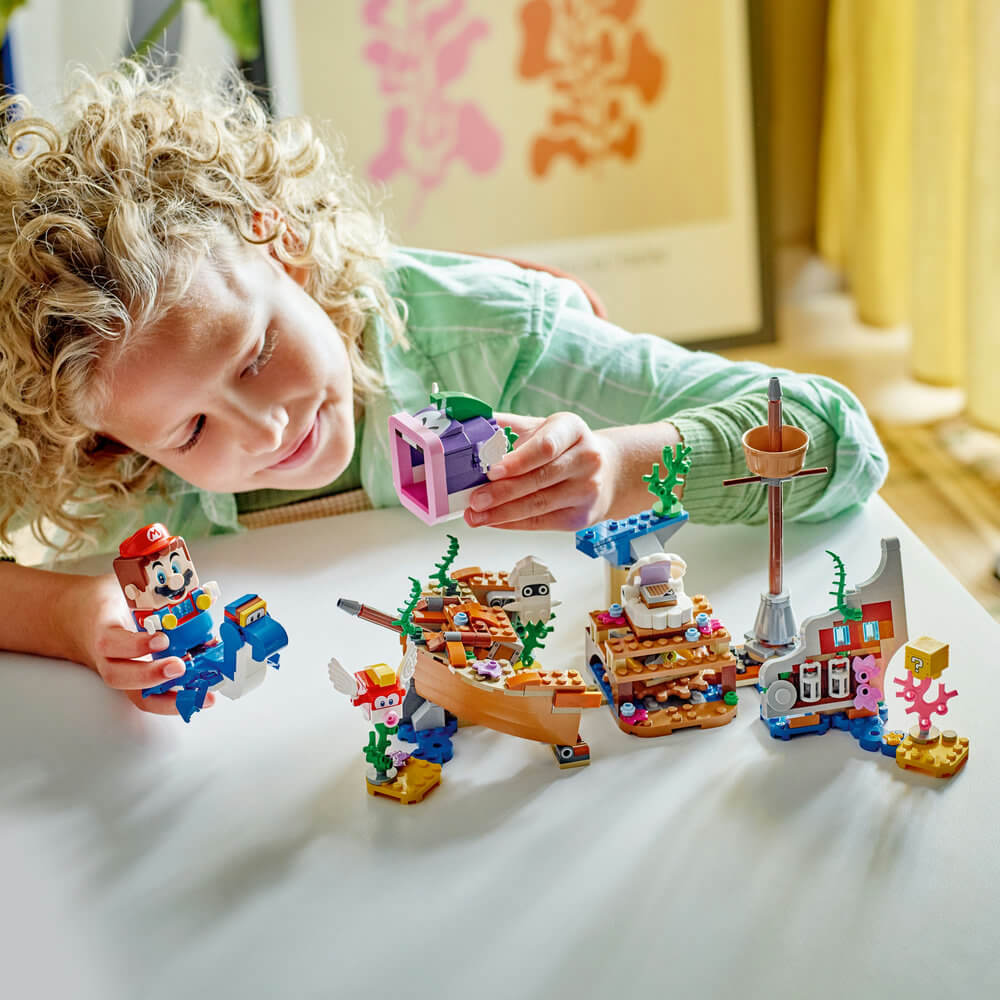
[528, 343]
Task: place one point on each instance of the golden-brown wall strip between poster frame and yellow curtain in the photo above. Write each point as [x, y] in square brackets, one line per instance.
[794, 42]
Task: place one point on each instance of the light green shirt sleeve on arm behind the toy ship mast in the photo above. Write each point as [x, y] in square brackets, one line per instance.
[575, 361]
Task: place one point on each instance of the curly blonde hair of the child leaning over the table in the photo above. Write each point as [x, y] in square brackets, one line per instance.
[105, 216]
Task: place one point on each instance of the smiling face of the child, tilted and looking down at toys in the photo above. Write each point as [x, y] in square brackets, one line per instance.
[244, 385]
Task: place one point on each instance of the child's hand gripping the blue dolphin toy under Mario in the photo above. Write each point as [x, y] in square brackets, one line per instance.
[106, 641]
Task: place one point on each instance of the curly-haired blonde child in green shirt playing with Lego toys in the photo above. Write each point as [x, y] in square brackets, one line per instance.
[198, 317]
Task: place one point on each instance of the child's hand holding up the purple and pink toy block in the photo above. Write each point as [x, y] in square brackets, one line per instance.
[560, 476]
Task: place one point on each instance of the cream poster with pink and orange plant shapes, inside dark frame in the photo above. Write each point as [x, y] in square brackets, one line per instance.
[611, 138]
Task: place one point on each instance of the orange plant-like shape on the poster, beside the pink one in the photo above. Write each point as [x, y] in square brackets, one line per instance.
[598, 66]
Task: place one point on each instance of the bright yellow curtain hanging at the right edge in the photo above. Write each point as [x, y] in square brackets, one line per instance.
[909, 202]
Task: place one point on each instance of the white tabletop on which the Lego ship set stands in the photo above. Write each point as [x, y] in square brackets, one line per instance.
[240, 856]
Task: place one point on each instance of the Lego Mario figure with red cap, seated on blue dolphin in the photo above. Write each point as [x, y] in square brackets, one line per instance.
[161, 587]
